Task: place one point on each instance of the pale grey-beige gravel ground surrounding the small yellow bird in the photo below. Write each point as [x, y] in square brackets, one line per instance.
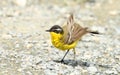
[26, 49]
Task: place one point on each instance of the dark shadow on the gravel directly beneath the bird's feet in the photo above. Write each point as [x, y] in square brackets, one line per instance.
[73, 63]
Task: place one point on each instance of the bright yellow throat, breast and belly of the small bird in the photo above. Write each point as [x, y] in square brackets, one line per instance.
[56, 41]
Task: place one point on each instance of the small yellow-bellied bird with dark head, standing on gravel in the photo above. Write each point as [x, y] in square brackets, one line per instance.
[67, 37]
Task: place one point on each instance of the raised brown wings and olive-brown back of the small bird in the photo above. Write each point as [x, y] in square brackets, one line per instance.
[72, 31]
